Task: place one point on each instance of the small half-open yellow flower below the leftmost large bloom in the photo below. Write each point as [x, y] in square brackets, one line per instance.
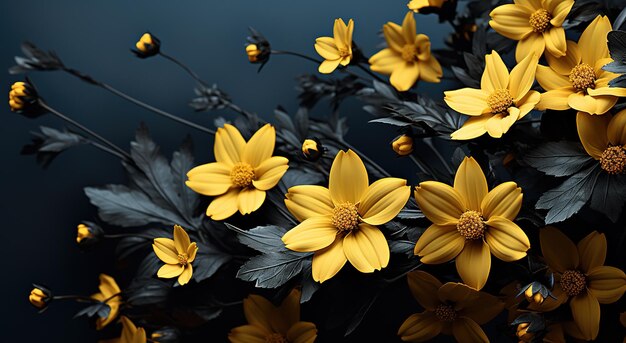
[178, 254]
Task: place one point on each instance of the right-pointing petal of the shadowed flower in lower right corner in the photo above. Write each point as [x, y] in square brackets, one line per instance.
[607, 284]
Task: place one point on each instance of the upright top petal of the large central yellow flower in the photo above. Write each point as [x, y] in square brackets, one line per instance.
[348, 179]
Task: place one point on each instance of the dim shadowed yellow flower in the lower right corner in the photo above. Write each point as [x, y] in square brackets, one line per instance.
[580, 275]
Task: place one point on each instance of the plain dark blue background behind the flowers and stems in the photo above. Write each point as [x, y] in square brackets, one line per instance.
[40, 208]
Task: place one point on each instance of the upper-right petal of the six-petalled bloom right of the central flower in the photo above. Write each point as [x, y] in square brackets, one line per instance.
[505, 200]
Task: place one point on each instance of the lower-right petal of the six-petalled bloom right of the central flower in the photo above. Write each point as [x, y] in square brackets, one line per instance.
[506, 240]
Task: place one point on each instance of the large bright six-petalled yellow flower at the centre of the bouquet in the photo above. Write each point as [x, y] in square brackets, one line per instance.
[339, 223]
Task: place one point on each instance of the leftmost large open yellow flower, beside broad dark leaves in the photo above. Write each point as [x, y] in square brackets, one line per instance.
[242, 173]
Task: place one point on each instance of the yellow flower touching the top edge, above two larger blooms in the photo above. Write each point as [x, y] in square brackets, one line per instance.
[536, 24]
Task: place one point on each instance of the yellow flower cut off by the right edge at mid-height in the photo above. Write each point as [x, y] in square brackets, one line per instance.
[604, 139]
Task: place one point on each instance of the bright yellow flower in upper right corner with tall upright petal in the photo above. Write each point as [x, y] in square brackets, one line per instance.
[577, 80]
